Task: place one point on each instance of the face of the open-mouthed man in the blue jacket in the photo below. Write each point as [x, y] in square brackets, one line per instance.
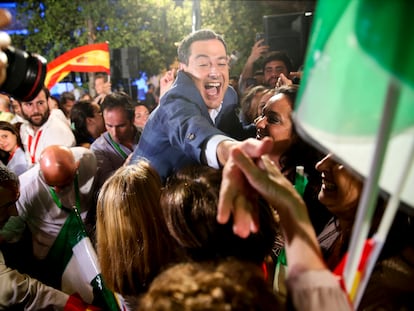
[208, 67]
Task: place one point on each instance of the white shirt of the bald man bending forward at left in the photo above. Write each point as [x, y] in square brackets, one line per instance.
[38, 210]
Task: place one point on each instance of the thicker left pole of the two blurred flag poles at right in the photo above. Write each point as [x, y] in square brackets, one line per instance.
[369, 195]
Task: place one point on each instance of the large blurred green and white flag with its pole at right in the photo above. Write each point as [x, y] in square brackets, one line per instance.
[357, 101]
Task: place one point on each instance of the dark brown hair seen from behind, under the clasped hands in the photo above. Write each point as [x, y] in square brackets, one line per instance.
[189, 203]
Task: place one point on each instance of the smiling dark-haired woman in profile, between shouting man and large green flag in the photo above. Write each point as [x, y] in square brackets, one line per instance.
[290, 150]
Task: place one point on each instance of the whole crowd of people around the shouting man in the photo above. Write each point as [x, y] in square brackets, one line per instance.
[190, 200]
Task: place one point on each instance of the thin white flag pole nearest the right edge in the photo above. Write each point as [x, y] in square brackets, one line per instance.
[385, 225]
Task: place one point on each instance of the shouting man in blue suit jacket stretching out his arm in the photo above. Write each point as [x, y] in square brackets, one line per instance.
[197, 119]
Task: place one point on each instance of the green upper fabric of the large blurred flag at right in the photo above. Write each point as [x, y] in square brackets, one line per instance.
[345, 82]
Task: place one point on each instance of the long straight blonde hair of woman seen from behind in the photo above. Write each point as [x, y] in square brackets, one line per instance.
[133, 243]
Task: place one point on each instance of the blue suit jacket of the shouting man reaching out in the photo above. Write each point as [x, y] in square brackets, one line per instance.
[178, 129]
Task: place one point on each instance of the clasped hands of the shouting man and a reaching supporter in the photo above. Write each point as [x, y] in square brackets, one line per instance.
[249, 172]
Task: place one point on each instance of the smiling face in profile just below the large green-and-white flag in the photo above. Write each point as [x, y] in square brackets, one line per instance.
[340, 190]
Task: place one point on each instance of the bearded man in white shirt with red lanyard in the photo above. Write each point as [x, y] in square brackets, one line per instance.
[43, 128]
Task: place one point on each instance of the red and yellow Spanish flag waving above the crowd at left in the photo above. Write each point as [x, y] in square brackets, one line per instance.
[87, 58]
